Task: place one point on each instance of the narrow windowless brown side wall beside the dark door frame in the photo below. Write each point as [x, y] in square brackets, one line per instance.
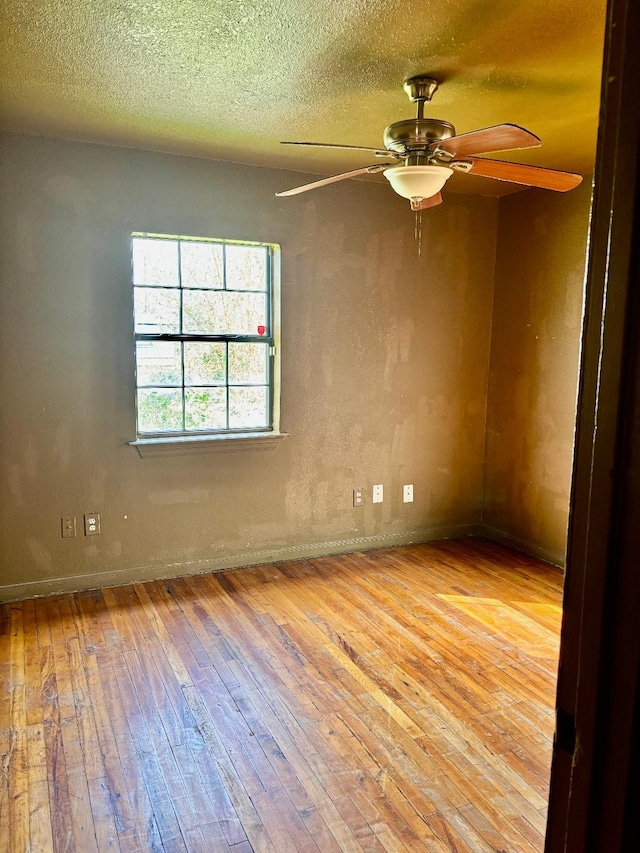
[540, 263]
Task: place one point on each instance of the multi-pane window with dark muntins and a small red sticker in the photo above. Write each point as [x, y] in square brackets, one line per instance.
[204, 337]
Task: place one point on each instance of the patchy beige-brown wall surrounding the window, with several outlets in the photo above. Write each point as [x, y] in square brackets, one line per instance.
[385, 362]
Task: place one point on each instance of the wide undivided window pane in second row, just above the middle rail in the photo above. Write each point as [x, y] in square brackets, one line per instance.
[222, 313]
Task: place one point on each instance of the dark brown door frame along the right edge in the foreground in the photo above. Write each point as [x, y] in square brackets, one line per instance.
[597, 744]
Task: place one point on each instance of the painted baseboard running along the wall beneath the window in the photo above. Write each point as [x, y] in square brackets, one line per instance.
[96, 580]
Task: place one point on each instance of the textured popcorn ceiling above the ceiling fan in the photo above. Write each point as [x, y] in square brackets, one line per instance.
[228, 79]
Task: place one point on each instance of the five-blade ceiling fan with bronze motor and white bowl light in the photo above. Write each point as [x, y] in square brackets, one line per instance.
[426, 151]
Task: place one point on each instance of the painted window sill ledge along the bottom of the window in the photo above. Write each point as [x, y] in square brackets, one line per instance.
[188, 445]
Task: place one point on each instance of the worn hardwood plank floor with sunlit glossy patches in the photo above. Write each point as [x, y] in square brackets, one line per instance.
[392, 700]
